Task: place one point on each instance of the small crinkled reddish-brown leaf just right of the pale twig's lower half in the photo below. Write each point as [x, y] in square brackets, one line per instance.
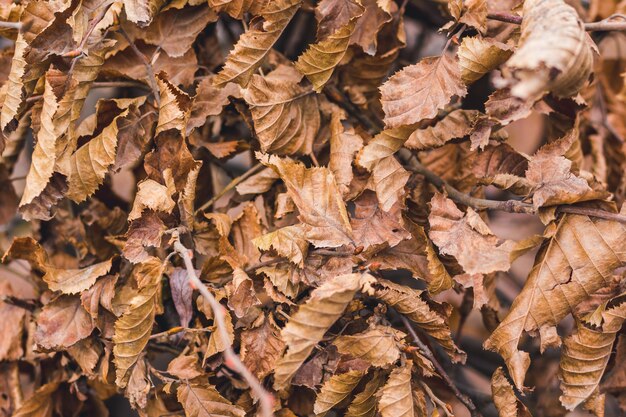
[261, 347]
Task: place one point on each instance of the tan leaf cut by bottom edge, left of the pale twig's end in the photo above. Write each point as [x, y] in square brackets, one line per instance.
[203, 400]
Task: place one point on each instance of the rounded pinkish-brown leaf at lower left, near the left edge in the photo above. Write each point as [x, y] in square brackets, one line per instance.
[62, 323]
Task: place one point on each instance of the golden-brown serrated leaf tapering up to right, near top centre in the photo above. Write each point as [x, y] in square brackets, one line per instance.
[318, 62]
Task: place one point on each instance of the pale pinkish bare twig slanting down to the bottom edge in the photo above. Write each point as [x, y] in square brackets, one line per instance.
[232, 359]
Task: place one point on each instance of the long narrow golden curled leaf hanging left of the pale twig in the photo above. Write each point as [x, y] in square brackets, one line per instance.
[133, 328]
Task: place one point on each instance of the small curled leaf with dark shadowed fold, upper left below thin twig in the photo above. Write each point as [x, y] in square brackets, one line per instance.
[175, 107]
